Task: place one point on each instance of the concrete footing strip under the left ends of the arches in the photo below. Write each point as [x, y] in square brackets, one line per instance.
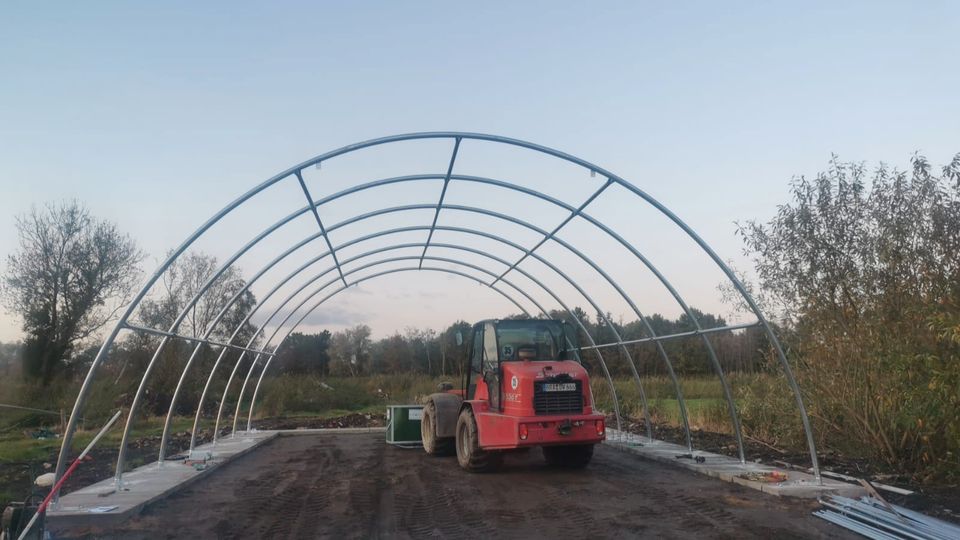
[102, 503]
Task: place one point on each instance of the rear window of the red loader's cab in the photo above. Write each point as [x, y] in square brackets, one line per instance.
[540, 340]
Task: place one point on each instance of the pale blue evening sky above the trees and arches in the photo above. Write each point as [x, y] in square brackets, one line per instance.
[156, 115]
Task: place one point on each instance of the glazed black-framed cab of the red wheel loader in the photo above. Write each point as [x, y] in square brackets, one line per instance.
[493, 342]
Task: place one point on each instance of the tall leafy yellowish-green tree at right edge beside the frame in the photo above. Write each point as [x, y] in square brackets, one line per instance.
[866, 276]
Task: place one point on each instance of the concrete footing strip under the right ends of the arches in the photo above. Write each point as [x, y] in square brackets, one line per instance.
[798, 484]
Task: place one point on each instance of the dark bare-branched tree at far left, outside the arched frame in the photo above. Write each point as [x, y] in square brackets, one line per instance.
[68, 278]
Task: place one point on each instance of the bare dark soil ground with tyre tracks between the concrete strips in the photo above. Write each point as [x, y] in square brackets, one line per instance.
[356, 486]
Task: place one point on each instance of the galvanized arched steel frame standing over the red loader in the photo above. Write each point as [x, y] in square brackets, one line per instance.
[124, 323]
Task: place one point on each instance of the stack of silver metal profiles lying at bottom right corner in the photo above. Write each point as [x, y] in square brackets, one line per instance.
[873, 519]
